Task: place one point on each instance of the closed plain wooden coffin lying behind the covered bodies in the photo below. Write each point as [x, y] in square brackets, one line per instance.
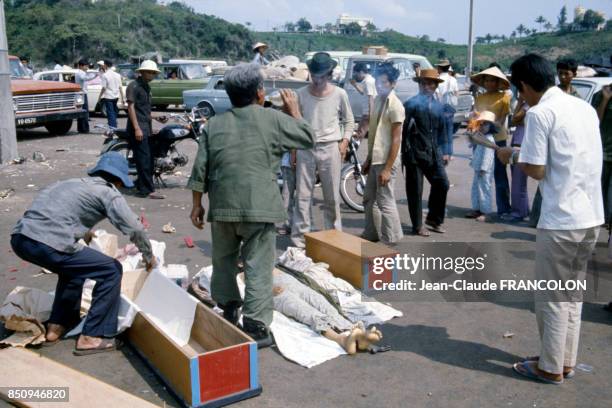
[350, 257]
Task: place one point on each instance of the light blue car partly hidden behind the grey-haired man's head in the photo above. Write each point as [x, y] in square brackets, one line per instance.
[213, 99]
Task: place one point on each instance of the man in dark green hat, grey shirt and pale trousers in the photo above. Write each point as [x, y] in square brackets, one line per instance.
[327, 109]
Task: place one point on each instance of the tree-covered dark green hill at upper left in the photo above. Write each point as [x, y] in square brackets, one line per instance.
[67, 30]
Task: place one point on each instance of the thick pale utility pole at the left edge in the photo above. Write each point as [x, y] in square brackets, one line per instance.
[8, 136]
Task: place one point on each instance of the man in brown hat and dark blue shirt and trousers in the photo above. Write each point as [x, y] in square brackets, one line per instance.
[425, 152]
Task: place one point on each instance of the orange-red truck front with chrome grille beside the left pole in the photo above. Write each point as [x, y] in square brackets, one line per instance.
[51, 104]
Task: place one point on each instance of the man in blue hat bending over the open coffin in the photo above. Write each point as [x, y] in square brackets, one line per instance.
[48, 235]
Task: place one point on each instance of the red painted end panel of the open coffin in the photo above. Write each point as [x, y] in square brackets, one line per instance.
[224, 372]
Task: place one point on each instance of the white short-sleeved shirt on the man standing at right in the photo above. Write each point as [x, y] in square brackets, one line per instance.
[562, 133]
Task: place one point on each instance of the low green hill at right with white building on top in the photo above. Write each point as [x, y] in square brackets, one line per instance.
[552, 45]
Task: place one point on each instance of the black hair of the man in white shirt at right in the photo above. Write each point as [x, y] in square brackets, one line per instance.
[534, 70]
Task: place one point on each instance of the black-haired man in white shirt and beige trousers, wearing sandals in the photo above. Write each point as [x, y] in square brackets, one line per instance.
[562, 149]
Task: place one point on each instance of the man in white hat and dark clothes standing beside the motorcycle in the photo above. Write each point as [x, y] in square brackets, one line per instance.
[140, 129]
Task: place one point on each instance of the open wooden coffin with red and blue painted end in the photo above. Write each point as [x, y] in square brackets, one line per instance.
[217, 367]
